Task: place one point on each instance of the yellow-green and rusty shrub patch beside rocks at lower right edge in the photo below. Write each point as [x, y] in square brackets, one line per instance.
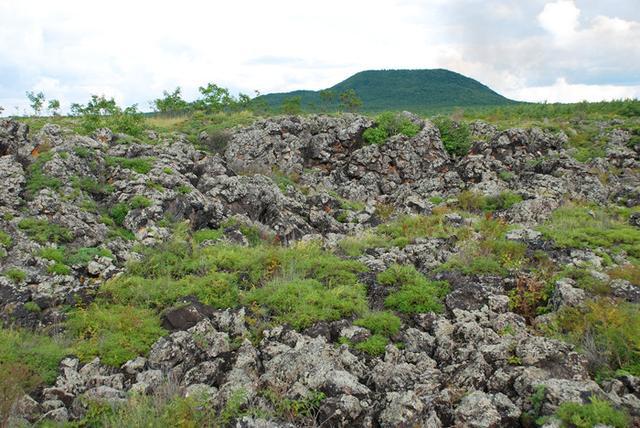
[607, 332]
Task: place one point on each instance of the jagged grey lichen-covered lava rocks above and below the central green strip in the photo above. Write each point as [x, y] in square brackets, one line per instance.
[476, 364]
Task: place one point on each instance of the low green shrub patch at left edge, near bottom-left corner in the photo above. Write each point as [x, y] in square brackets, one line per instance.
[40, 353]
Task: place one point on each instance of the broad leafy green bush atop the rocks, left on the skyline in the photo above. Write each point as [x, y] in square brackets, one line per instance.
[101, 112]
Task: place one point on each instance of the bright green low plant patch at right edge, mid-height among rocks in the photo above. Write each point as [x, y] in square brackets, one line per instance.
[575, 226]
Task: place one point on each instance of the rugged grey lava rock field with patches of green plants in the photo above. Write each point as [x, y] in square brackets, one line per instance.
[422, 289]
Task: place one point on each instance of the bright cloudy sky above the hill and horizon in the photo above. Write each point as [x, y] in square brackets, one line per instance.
[534, 50]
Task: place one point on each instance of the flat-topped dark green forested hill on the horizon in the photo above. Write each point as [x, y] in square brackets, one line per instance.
[415, 90]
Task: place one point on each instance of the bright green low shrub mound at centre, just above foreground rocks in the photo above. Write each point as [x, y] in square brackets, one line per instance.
[303, 302]
